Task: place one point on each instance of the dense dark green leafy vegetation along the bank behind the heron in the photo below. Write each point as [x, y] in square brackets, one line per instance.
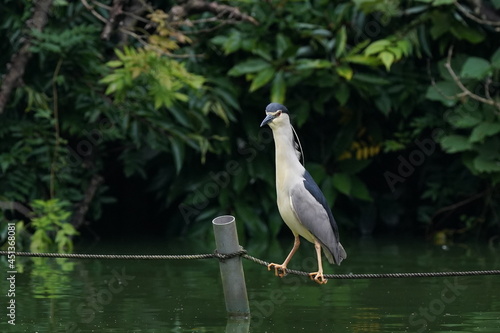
[132, 117]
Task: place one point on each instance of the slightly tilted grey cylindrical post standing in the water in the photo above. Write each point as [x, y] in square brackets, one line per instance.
[233, 278]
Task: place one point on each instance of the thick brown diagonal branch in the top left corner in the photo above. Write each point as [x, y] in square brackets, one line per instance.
[19, 60]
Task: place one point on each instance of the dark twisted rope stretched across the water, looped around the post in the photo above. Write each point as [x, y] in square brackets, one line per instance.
[243, 253]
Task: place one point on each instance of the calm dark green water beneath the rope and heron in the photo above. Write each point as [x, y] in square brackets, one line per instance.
[186, 296]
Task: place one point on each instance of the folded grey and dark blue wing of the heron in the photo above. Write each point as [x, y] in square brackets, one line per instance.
[312, 210]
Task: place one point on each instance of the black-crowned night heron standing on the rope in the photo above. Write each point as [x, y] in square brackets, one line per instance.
[301, 203]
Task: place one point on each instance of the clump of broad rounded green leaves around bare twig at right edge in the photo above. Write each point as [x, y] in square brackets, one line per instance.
[473, 117]
